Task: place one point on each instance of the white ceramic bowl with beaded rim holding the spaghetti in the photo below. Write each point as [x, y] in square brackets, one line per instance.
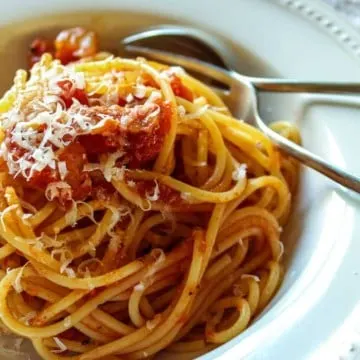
[314, 313]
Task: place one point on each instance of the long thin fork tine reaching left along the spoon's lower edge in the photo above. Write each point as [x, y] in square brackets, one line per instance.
[210, 71]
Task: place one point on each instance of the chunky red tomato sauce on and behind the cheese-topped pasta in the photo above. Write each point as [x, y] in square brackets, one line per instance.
[141, 137]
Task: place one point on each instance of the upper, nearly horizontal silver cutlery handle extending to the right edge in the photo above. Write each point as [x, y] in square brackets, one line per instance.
[296, 86]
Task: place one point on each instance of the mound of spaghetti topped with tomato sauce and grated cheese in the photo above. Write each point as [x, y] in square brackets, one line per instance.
[137, 215]
